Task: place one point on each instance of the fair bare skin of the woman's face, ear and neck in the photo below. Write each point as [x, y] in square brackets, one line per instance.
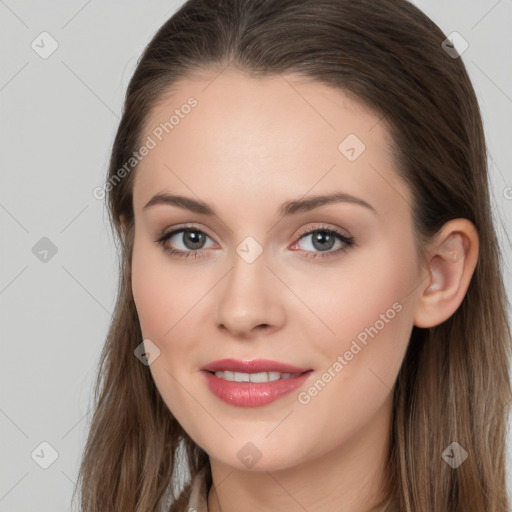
[247, 147]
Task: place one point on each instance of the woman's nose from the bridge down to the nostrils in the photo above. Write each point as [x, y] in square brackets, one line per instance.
[249, 295]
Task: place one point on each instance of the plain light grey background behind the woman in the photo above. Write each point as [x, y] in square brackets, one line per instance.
[58, 119]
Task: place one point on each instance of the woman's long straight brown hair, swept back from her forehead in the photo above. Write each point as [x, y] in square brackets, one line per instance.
[454, 381]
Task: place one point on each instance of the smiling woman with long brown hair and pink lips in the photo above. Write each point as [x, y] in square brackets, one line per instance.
[311, 308]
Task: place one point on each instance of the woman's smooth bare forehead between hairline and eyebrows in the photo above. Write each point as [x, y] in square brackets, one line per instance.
[232, 138]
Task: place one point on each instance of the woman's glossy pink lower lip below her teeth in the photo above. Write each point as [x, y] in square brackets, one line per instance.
[253, 394]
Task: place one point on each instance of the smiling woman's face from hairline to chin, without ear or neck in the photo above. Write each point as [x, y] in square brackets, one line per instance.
[248, 283]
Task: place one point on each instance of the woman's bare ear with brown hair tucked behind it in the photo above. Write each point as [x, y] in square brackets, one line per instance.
[452, 259]
